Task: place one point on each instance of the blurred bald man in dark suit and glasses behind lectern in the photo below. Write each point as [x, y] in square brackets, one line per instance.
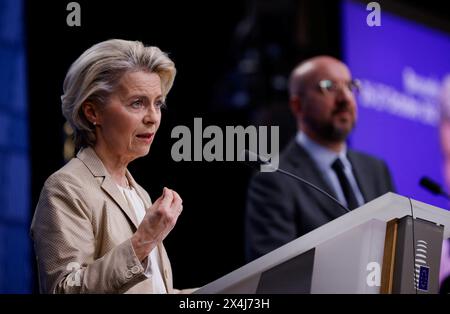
[281, 209]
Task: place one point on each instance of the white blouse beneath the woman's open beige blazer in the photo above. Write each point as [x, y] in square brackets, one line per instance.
[153, 268]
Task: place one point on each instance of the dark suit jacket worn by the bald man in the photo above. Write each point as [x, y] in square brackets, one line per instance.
[281, 209]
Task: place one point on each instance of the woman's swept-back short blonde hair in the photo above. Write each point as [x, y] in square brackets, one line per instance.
[96, 73]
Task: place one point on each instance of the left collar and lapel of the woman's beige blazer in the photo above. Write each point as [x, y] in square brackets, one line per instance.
[95, 165]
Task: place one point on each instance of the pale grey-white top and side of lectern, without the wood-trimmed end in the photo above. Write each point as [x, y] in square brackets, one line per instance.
[334, 258]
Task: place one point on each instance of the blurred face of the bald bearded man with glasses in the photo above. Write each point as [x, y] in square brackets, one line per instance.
[328, 106]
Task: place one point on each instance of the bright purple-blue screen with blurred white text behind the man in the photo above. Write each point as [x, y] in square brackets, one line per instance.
[401, 65]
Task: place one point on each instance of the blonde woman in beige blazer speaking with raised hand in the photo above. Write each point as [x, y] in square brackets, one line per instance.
[95, 230]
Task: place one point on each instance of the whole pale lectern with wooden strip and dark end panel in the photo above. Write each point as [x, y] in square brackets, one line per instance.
[390, 245]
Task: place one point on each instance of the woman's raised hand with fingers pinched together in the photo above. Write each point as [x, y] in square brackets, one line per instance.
[159, 220]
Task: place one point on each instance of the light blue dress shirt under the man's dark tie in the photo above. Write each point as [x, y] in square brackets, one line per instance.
[324, 158]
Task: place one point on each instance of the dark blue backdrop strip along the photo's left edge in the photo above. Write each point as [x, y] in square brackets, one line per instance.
[15, 257]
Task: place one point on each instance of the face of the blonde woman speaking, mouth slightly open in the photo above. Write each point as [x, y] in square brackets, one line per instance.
[128, 122]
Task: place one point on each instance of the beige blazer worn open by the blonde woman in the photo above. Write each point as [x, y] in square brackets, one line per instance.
[81, 231]
